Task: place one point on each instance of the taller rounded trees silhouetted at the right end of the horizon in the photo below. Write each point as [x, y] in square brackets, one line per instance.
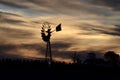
[109, 57]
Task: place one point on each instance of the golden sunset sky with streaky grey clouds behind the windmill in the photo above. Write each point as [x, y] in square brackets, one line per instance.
[87, 25]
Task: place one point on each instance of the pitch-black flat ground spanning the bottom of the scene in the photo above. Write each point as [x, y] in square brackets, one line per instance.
[25, 70]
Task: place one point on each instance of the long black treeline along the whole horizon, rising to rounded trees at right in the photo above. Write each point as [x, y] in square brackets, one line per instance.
[110, 59]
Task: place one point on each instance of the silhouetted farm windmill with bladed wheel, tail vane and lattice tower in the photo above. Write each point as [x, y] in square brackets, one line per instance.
[46, 35]
